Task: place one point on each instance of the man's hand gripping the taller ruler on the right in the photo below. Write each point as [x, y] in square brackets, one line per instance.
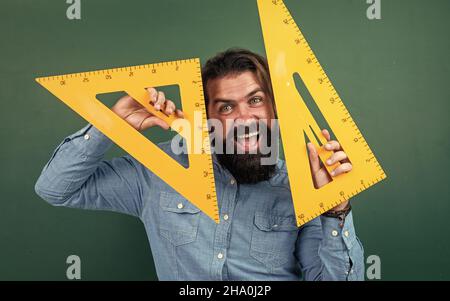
[320, 174]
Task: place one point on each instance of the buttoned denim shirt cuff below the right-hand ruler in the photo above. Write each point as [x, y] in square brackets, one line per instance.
[334, 235]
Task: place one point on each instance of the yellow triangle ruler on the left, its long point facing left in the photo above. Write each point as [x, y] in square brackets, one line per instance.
[78, 91]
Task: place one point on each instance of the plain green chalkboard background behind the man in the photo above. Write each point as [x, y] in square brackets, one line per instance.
[392, 74]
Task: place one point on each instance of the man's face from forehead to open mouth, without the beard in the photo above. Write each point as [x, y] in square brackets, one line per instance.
[238, 100]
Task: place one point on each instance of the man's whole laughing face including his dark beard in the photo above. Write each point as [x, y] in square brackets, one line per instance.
[245, 113]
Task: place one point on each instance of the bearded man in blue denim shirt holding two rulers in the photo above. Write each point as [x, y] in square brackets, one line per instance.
[257, 237]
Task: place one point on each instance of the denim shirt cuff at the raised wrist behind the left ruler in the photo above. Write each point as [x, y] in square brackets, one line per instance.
[90, 141]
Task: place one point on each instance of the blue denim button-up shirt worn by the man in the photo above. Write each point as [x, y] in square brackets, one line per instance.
[256, 239]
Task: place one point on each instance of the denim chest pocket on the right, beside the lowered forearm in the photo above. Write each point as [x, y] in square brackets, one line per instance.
[273, 239]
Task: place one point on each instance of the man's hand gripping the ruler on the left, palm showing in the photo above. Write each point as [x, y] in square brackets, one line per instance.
[137, 116]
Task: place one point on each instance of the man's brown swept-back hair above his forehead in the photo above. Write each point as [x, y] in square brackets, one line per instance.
[234, 61]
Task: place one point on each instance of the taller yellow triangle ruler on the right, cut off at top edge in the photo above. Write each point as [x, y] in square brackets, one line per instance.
[288, 53]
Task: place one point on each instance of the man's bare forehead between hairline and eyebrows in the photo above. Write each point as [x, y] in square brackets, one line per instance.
[233, 86]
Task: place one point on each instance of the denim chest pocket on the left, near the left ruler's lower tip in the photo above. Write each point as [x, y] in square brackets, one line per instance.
[178, 219]
